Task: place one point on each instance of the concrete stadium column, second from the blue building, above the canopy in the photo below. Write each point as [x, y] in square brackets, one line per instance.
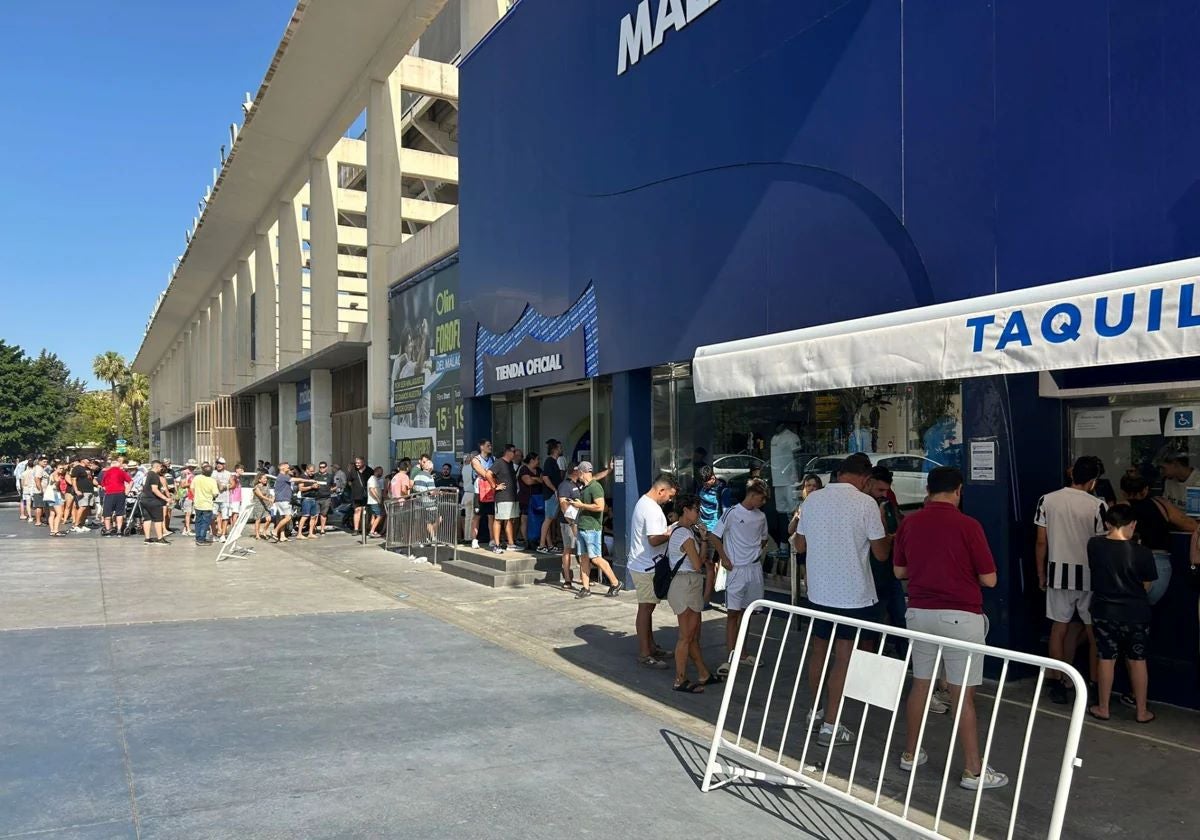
[323, 254]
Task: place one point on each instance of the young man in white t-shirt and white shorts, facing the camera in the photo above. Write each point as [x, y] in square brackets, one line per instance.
[739, 539]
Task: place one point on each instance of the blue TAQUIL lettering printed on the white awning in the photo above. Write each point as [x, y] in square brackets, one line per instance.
[1114, 315]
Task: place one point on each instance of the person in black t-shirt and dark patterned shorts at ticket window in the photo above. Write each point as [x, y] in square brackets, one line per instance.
[1123, 573]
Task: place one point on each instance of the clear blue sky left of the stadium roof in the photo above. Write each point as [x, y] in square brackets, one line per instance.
[113, 116]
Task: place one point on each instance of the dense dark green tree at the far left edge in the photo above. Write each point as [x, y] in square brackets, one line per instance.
[37, 397]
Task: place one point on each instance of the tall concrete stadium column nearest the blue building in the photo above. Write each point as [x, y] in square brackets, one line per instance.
[385, 232]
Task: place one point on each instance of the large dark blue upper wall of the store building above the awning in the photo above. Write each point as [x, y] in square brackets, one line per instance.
[782, 164]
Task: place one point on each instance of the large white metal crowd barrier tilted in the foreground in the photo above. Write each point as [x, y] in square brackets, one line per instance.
[766, 719]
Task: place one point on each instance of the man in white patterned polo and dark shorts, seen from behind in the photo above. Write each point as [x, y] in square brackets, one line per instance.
[841, 530]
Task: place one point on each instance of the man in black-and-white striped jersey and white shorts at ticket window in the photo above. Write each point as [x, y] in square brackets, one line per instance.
[1067, 519]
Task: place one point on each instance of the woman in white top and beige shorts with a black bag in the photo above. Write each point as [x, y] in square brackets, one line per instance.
[687, 596]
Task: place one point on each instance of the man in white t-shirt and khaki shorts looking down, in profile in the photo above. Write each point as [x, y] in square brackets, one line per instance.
[647, 535]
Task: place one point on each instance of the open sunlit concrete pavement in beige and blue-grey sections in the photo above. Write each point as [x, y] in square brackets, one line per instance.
[292, 700]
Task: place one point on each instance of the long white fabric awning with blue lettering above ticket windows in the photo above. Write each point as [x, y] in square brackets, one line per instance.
[1141, 315]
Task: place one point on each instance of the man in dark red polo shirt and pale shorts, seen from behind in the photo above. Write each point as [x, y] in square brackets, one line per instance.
[944, 555]
